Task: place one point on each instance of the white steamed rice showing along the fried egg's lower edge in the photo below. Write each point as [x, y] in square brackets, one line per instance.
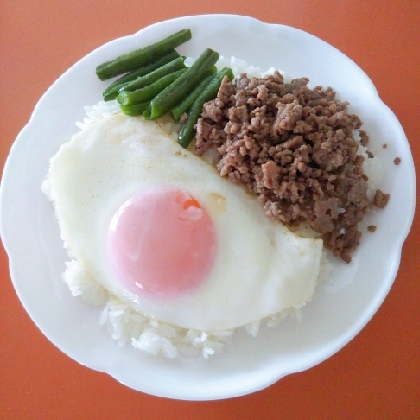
[125, 325]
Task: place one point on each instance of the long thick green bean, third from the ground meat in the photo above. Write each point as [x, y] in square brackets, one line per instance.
[180, 89]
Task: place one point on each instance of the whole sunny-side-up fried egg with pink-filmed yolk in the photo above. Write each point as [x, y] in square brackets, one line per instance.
[162, 231]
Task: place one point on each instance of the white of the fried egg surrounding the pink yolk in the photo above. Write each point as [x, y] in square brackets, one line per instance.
[261, 268]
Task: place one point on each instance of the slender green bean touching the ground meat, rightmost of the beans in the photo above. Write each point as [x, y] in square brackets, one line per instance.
[210, 92]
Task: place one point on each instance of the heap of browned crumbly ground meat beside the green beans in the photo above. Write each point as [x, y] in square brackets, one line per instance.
[294, 148]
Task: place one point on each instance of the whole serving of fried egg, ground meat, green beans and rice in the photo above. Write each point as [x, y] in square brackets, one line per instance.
[158, 233]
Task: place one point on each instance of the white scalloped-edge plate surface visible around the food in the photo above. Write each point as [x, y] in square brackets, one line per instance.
[337, 313]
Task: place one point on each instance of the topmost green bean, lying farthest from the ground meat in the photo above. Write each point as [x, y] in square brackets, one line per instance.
[142, 56]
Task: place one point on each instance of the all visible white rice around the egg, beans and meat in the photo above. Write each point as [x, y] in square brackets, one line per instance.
[145, 333]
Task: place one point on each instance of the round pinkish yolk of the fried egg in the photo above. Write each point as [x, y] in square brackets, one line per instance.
[162, 242]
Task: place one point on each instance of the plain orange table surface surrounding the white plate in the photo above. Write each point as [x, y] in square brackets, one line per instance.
[376, 376]
